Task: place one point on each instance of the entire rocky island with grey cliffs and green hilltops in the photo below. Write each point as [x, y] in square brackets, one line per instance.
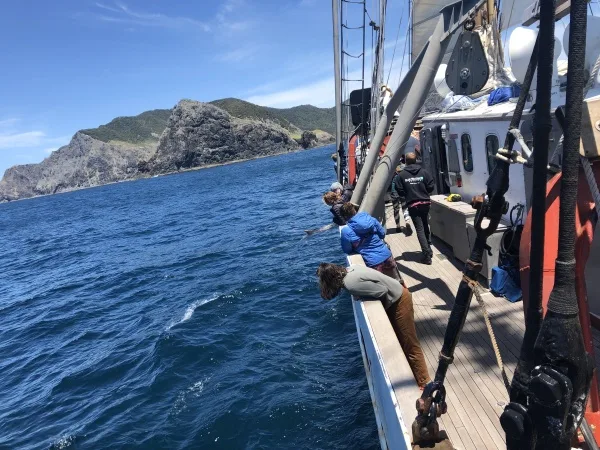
[192, 135]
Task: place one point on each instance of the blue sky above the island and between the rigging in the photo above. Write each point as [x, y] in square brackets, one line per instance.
[73, 64]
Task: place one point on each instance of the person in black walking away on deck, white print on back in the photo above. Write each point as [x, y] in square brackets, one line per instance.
[415, 184]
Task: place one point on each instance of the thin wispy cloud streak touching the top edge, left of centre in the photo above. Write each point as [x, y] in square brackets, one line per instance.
[121, 13]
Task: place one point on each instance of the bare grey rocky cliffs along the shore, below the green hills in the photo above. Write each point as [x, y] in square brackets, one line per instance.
[197, 134]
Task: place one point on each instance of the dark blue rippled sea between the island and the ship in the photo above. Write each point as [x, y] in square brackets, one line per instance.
[179, 312]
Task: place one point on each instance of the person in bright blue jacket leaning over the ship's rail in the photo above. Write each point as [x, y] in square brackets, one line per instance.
[364, 234]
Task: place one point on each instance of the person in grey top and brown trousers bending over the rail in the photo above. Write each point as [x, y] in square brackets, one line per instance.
[368, 284]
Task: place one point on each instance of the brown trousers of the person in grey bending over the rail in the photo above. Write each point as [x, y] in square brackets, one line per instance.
[402, 317]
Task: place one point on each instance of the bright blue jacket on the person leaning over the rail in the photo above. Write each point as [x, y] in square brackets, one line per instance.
[364, 234]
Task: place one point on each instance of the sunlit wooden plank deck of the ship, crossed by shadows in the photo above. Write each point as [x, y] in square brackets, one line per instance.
[475, 392]
